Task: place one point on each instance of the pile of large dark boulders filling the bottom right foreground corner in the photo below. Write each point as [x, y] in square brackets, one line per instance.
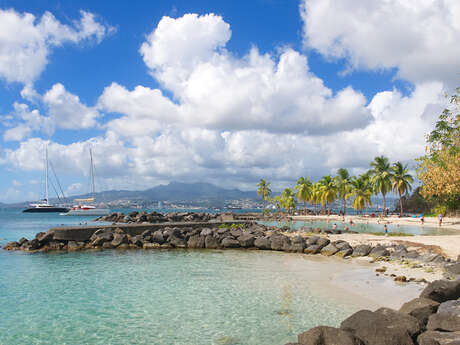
[431, 319]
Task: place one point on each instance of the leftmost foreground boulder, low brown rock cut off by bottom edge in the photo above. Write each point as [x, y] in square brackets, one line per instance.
[324, 335]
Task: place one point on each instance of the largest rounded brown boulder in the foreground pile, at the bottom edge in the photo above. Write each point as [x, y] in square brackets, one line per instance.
[383, 327]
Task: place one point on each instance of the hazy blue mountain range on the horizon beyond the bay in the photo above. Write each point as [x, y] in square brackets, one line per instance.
[174, 191]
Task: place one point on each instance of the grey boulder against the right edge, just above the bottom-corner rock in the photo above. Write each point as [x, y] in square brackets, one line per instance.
[447, 318]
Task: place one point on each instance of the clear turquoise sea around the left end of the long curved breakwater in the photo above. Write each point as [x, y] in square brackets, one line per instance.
[164, 297]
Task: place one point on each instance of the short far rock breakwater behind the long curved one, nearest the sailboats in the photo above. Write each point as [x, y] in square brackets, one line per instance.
[155, 217]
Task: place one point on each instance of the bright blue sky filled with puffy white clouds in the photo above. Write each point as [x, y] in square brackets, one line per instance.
[225, 92]
